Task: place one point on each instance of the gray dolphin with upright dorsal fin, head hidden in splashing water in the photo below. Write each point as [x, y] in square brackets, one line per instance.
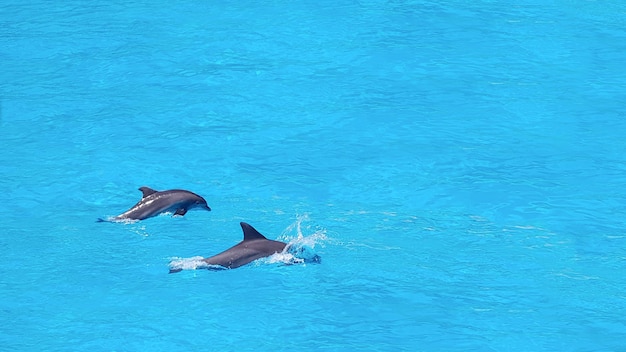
[253, 247]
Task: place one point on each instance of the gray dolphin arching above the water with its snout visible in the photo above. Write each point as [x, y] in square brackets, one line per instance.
[154, 203]
